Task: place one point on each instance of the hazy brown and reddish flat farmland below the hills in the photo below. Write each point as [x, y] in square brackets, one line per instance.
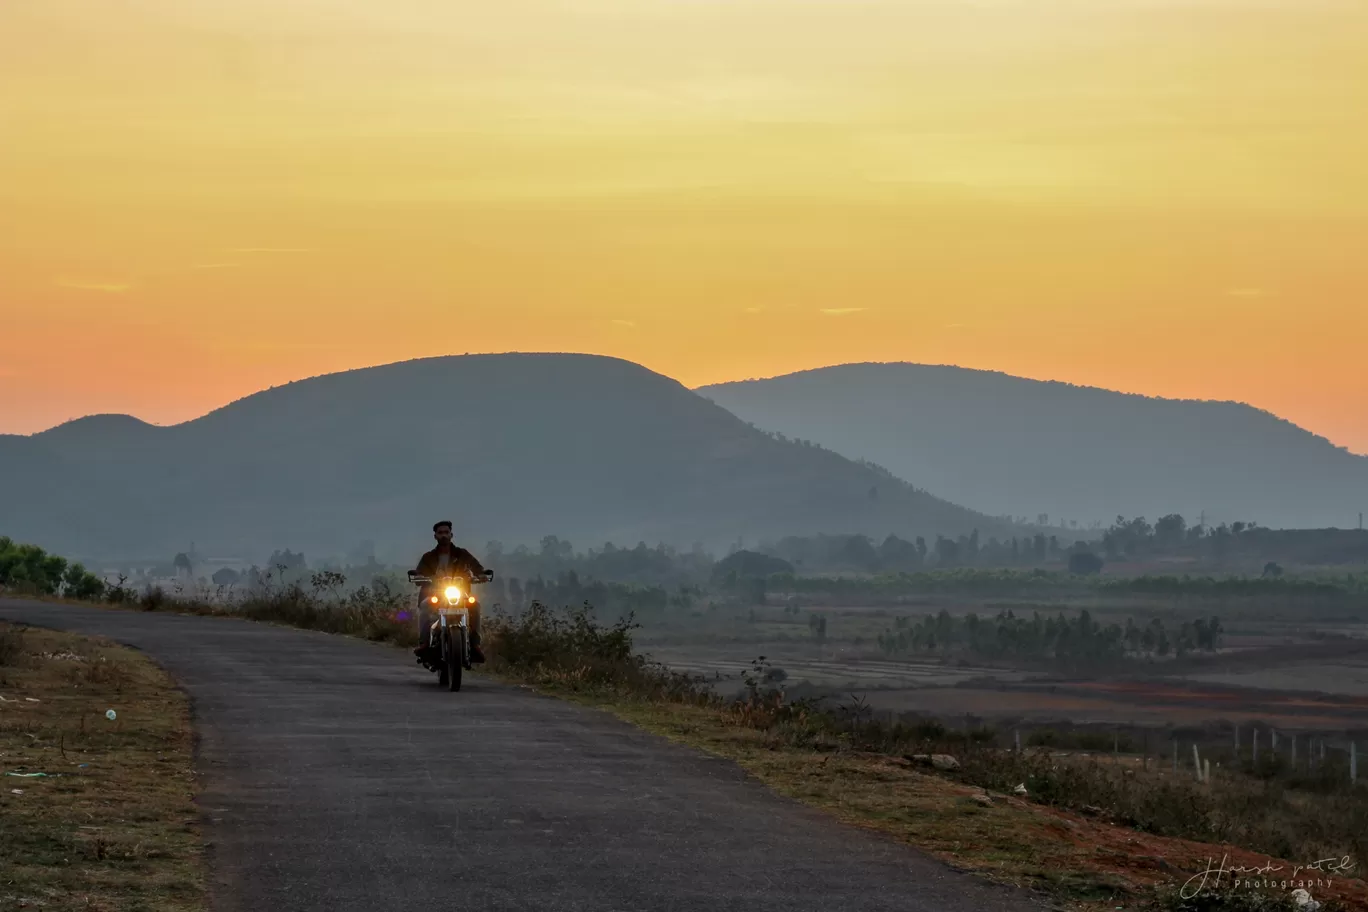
[1295, 667]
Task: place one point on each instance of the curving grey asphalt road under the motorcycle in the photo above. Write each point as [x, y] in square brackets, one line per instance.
[340, 779]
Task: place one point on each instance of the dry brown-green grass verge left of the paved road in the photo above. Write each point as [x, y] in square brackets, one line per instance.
[111, 827]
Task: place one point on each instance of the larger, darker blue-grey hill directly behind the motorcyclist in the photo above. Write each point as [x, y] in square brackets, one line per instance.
[511, 448]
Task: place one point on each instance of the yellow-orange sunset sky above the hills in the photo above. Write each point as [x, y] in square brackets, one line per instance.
[202, 199]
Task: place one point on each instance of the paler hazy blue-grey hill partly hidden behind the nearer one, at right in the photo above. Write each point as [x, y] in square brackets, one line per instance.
[1023, 448]
